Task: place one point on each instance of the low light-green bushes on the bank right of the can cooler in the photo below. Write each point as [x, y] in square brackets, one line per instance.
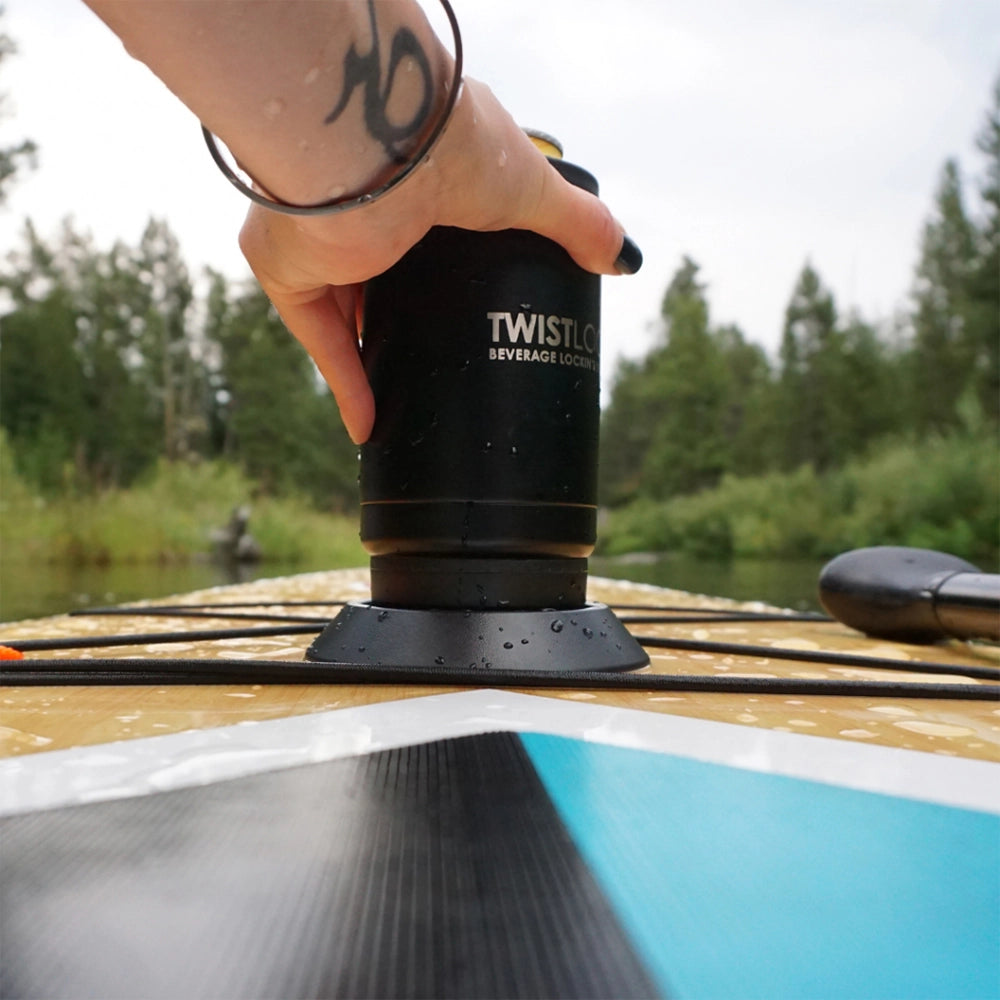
[943, 493]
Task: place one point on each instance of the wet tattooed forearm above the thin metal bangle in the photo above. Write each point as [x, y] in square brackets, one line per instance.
[311, 102]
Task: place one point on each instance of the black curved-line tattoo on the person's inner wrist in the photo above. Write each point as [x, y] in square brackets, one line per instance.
[366, 71]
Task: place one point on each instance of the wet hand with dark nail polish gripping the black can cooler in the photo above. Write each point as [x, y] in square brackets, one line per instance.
[484, 174]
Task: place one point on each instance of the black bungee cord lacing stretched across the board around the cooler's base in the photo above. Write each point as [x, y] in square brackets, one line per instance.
[91, 670]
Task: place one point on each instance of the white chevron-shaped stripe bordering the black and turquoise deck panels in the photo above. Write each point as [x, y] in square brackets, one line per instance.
[141, 766]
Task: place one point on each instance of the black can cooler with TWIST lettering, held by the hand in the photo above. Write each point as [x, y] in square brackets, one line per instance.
[482, 350]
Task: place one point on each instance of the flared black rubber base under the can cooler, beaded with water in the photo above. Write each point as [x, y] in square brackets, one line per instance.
[587, 638]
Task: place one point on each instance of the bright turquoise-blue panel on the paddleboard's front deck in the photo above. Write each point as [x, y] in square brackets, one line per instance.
[734, 883]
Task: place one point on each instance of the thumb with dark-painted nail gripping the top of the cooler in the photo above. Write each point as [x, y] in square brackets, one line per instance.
[584, 226]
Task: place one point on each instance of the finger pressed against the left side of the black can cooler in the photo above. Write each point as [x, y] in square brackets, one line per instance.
[330, 337]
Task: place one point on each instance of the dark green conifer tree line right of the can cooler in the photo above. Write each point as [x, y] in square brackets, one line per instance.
[704, 403]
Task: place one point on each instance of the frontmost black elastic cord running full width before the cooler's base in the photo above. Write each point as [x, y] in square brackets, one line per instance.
[228, 672]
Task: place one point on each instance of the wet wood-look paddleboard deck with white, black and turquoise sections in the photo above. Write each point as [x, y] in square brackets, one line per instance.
[410, 840]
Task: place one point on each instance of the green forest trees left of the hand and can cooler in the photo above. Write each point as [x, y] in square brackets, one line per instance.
[112, 359]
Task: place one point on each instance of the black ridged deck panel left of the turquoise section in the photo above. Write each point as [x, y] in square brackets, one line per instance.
[436, 870]
